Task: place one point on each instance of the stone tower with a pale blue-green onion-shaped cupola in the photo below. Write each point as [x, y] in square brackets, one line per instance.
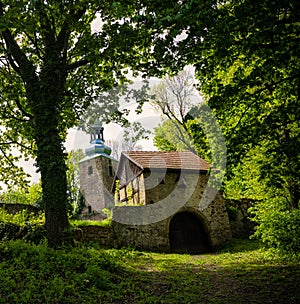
[97, 170]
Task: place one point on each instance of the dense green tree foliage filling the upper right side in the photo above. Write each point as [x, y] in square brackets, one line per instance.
[246, 56]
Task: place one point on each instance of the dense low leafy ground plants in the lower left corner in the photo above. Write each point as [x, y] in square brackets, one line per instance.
[38, 274]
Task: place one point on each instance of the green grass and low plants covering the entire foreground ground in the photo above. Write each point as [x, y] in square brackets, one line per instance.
[240, 273]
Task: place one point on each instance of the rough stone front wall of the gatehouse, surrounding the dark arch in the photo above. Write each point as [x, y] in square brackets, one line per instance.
[147, 227]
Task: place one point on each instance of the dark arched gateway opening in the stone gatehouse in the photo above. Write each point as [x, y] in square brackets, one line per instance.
[187, 234]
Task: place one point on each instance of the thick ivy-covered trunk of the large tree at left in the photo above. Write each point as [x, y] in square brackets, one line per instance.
[46, 109]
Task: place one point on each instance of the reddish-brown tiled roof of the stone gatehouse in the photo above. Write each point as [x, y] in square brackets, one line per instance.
[169, 160]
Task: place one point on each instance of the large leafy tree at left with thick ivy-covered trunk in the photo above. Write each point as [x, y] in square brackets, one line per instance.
[53, 65]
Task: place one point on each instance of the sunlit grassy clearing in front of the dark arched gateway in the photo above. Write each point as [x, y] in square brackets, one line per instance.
[244, 274]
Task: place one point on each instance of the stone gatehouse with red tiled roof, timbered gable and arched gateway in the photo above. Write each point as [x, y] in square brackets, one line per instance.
[168, 204]
